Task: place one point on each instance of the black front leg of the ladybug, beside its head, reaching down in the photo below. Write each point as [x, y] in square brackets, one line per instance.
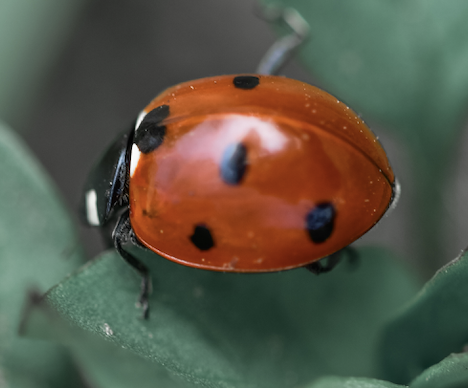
[123, 232]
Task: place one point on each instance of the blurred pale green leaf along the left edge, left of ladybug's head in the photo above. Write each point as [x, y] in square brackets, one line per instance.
[37, 248]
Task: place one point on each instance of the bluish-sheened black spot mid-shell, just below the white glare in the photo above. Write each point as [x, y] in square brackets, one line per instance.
[233, 163]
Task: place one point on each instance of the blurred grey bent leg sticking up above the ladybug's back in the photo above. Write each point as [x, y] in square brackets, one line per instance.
[282, 50]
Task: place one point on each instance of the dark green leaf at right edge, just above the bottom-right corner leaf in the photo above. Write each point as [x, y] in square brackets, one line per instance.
[431, 327]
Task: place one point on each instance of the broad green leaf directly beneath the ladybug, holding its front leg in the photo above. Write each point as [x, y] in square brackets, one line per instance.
[219, 329]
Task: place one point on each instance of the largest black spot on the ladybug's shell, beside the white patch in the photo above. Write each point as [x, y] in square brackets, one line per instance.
[150, 134]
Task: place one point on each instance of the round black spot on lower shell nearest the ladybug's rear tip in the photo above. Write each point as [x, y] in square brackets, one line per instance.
[320, 222]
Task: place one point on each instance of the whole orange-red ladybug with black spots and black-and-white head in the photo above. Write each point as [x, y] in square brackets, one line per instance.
[241, 173]
